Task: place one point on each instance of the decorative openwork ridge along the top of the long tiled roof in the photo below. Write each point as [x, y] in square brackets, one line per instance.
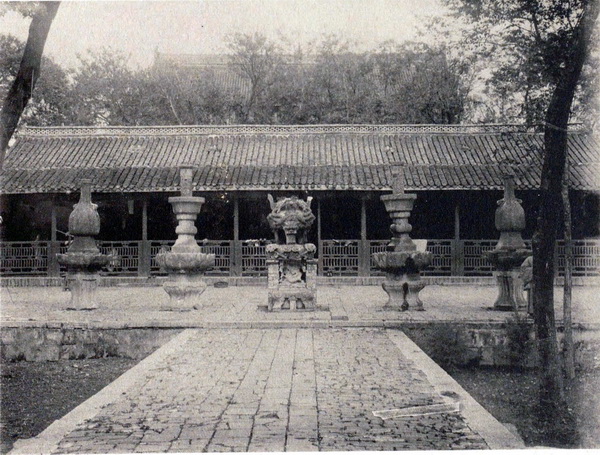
[191, 130]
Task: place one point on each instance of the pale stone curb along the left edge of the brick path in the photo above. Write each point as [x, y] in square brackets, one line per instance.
[47, 441]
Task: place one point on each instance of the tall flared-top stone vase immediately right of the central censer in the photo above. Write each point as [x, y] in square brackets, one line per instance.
[401, 261]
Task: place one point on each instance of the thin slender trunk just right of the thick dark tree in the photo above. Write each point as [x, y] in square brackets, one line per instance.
[568, 349]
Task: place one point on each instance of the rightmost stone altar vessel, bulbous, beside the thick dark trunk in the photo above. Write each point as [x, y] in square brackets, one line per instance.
[510, 251]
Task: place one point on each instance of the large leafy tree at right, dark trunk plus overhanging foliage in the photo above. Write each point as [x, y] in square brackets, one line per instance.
[542, 46]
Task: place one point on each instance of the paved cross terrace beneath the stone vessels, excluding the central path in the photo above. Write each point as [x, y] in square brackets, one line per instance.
[236, 306]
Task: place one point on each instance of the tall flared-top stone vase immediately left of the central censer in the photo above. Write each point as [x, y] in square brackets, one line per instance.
[185, 263]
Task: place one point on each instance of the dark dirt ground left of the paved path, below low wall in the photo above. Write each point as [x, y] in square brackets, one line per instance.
[35, 394]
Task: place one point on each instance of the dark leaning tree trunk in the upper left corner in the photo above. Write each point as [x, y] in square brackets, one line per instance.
[21, 90]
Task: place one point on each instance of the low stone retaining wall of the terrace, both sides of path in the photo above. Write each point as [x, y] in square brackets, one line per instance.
[490, 344]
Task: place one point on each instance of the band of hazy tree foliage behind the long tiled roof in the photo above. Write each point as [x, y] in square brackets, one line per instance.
[264, 81]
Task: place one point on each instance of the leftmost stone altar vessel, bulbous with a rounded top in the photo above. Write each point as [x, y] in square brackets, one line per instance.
[83, 258]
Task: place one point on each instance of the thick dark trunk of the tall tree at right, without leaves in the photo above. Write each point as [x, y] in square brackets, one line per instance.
[544, 239]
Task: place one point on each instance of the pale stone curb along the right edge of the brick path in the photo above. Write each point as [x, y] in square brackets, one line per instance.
[496, 435]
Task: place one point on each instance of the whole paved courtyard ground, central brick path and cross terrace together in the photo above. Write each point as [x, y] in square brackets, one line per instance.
[277, 374]
